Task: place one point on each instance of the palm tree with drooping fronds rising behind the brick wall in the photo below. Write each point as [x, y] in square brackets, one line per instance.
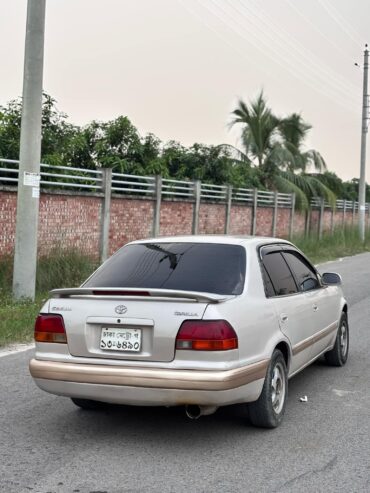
[276, 146]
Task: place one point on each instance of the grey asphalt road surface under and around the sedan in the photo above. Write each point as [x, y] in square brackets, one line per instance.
[48, 445]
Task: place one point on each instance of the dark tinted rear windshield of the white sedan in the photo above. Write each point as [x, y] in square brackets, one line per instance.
[205, 267]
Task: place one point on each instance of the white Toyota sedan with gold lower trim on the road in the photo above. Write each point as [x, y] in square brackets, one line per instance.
[199, 321]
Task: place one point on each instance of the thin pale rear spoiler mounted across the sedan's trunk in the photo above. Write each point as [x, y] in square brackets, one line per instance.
[138, 293]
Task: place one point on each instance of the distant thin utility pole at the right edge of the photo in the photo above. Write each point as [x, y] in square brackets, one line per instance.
[362, 184]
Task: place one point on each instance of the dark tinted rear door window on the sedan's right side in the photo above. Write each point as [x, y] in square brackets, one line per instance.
[279, 273]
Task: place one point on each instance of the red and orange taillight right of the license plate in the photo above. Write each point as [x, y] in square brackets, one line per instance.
[206, 335]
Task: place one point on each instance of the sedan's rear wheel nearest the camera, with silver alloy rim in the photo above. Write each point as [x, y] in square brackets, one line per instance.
[268, 410]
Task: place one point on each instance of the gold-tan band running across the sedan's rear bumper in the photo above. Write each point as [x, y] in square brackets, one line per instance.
[149, 377]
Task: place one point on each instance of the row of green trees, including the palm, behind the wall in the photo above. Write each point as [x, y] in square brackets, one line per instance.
[273, 154]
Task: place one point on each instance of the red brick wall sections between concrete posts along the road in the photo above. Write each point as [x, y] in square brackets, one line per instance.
[72, 220]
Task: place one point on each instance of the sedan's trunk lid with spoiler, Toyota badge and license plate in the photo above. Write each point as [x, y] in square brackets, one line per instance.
[144, 323]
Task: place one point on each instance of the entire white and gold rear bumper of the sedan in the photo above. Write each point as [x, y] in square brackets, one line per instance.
[150, 386]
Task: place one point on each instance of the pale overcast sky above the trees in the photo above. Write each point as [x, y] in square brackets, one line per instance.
[177, 67]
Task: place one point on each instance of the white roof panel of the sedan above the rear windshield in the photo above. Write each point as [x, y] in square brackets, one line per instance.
[221, 239]
